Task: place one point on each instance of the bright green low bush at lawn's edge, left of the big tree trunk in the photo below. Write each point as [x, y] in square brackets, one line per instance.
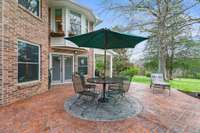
[131, 71]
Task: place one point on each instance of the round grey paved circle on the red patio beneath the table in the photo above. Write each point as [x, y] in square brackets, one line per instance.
[117, 108]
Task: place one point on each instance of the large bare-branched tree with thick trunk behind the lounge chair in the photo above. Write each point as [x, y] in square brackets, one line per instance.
[165, 21]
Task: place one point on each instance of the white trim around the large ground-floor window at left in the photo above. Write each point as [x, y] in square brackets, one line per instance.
[39, 69]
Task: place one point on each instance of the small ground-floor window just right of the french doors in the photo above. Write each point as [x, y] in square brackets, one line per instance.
[83, 65]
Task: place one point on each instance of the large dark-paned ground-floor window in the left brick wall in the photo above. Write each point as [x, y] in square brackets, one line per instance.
[28, 62]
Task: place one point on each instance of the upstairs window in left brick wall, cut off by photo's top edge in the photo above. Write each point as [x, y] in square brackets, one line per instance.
[31, 5]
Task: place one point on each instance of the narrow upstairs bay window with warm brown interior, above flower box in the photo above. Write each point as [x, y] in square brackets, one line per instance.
[58, 20]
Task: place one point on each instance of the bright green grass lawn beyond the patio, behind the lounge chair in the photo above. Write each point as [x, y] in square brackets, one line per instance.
[188, 85]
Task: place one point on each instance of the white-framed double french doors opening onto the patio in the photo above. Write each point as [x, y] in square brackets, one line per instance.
[62, 68]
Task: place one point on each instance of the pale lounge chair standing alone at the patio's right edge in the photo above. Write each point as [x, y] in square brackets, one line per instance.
[157, 81]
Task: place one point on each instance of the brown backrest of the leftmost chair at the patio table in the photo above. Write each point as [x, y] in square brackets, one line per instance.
[77, 83]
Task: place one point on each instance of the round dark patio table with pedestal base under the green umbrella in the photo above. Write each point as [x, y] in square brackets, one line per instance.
[104, 82]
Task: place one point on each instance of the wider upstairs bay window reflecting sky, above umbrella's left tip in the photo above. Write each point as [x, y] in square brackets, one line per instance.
[75, 23]
